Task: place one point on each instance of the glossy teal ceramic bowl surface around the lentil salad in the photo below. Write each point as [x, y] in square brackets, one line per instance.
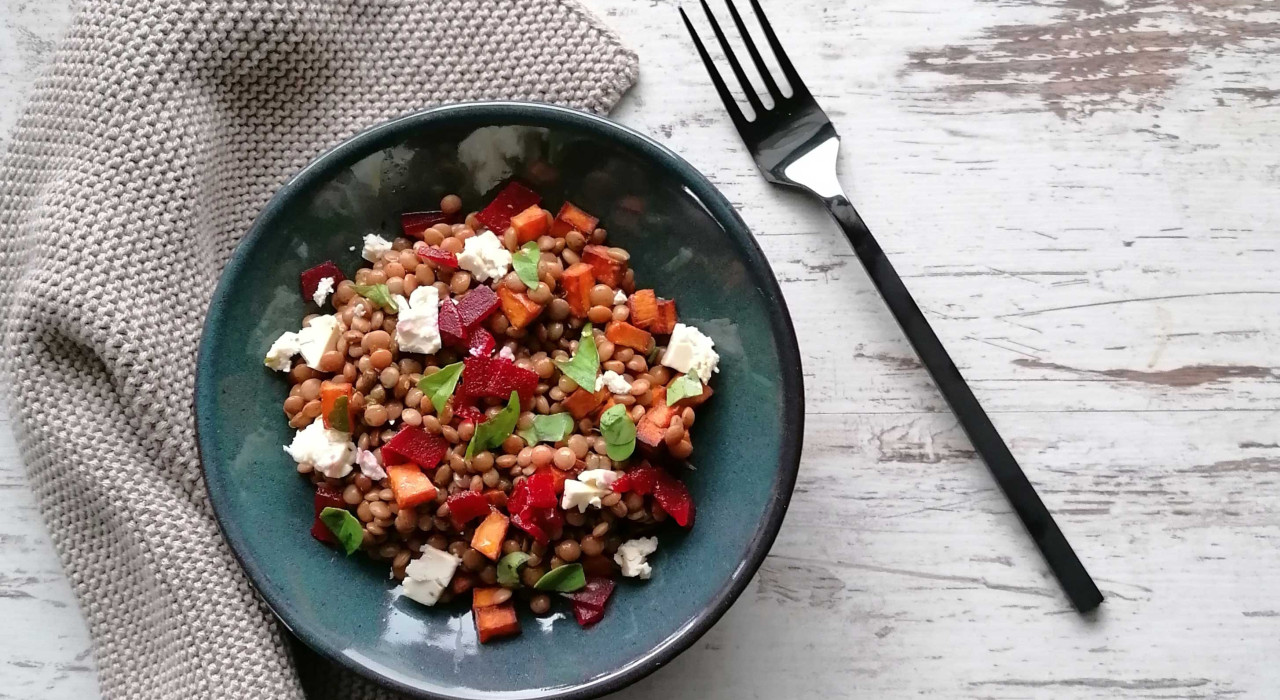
[685, 241]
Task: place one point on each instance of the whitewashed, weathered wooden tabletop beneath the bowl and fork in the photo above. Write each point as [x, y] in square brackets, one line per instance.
[1085, 196]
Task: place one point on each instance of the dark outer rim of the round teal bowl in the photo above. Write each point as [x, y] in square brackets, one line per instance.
[497, 113]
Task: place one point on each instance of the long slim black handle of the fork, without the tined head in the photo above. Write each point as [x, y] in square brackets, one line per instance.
[1027, 504]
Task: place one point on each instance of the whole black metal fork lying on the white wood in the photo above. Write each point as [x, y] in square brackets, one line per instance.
[796, 145]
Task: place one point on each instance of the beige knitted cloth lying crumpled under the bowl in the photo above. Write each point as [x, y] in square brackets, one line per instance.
[161, 131]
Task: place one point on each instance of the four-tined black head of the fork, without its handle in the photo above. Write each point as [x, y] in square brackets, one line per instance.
[793, 143]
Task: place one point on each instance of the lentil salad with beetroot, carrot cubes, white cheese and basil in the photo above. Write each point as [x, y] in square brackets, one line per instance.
[496, 415]
